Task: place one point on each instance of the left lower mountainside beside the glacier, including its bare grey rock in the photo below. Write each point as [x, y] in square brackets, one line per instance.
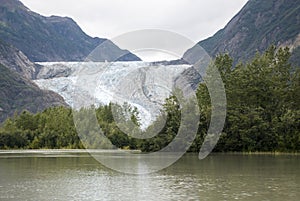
[17, 91]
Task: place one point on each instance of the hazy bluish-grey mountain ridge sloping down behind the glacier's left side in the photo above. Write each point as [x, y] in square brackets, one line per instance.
[51, 38]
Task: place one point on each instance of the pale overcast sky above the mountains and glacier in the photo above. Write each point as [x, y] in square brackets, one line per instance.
[194, 19]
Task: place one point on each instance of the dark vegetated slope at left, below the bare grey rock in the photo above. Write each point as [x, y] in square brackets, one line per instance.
[18, 93]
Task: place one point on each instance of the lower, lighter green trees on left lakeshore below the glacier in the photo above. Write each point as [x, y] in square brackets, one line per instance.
[54, 128]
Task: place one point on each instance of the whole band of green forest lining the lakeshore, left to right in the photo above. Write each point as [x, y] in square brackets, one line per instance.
[263, 114]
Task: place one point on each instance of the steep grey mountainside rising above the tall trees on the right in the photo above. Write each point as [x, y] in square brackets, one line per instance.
[258, 25]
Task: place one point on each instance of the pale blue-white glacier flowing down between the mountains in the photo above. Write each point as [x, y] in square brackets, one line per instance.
[143, 85]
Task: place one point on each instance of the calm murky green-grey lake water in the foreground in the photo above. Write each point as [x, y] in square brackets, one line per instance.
[77, 176]
